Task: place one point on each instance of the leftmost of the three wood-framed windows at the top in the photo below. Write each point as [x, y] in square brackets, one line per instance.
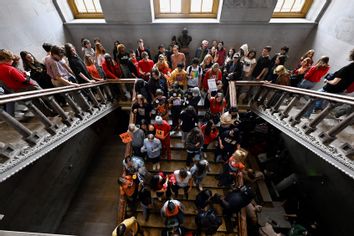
[86, 8]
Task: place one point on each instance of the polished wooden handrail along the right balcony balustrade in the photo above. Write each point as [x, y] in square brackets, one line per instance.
[312, 93]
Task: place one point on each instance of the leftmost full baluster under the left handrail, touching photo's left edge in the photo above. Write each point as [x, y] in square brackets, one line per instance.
[30, 137]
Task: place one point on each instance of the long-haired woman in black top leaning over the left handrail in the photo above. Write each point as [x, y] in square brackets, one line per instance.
[77, 65]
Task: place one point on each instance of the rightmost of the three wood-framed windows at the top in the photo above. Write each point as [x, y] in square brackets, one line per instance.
[292, 8]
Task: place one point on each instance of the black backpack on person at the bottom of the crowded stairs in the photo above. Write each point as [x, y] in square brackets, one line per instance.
[208, 221]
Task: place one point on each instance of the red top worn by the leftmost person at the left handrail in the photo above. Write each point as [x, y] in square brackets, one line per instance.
[12, 78]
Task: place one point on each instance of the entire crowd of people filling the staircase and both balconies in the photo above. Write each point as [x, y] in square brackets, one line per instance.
[169, 88]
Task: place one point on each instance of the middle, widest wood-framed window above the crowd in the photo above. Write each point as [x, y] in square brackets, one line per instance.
[186, 8]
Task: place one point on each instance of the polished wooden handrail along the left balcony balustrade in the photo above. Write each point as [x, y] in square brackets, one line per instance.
[52, 91]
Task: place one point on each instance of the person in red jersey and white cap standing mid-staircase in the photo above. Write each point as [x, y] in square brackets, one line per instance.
[162, 129]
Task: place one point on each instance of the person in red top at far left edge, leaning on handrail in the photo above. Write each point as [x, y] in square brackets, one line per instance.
[11, 78]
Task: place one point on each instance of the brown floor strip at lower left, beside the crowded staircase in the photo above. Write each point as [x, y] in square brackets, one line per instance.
[94, 209]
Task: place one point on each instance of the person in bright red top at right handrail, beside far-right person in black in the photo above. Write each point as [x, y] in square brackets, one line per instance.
[315, 73]
